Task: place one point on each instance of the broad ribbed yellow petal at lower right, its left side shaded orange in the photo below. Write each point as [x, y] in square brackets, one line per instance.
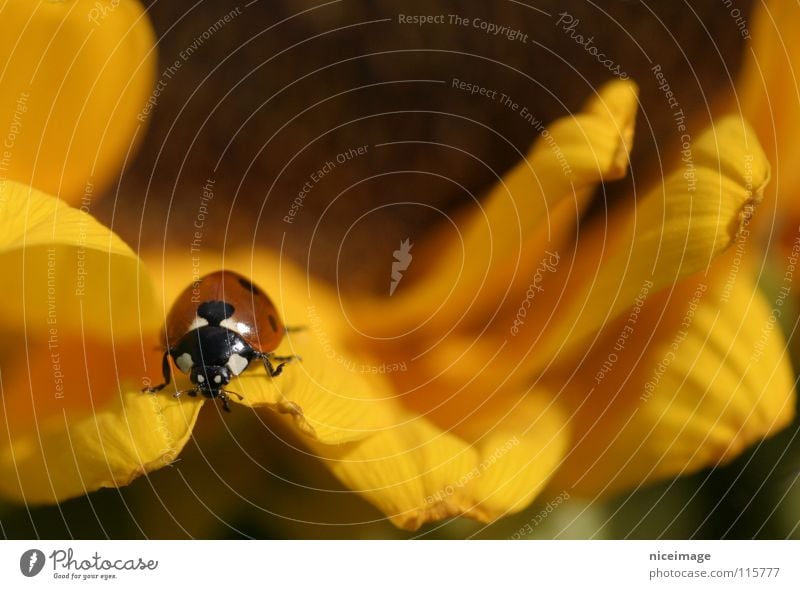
[701, 375]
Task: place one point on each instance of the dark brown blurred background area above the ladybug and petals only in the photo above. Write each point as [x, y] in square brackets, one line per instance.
[284, 87]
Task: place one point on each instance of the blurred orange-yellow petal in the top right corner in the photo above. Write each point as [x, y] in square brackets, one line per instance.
[768, 95]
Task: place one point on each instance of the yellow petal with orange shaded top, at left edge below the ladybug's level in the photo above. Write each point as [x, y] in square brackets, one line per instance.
[75, 419]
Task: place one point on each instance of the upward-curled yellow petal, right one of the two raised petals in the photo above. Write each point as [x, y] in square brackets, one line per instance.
[676, 231]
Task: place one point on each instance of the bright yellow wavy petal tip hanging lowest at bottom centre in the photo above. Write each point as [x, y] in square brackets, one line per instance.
[416, 472]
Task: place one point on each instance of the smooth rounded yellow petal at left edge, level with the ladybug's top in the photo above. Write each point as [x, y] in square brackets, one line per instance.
[67, 273]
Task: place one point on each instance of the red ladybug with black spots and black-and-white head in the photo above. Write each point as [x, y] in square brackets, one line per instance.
[217, 326]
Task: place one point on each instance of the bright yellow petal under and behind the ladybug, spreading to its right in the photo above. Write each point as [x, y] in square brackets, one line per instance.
[333, 395]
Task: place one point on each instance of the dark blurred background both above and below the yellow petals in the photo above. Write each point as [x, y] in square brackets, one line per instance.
[286, 86]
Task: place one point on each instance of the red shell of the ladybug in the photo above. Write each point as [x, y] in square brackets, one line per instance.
[254, 318]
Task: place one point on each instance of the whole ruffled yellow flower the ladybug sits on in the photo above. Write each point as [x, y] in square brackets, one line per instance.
[528, 352]
